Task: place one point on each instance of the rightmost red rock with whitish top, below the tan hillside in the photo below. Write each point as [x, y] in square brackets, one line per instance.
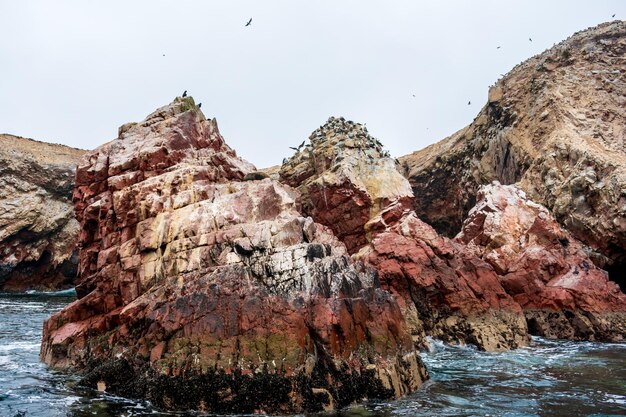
[543, 267]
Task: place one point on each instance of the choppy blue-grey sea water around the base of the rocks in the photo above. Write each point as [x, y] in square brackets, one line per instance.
[549, 378]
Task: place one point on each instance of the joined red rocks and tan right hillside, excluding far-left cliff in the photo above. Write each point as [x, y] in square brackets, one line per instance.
[204, 283]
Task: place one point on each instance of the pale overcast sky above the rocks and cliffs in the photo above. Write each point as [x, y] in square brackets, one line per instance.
[73, 71]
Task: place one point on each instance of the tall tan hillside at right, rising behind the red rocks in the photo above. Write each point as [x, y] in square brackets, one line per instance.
[556, 125]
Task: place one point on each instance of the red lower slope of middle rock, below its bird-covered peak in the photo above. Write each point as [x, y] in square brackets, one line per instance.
[449, 294]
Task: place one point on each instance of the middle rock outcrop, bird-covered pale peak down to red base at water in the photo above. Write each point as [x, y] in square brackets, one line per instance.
[349, 184]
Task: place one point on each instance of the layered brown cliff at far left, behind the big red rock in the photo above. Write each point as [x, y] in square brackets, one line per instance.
[38, 231]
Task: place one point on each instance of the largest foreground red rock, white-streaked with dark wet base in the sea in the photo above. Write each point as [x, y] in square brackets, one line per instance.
[202, 286]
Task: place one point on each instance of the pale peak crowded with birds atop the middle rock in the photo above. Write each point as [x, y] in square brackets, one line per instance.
[343, 164]
